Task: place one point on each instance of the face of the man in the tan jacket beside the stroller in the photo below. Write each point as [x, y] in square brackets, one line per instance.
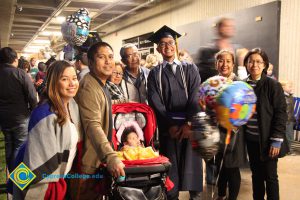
[103, 62]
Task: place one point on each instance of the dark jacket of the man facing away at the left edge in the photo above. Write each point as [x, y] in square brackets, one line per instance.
[17, 96]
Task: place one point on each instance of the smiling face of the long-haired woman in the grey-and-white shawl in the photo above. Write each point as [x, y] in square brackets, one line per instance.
[68, 84]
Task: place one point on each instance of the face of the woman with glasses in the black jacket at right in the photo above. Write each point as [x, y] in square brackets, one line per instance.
[255, 66]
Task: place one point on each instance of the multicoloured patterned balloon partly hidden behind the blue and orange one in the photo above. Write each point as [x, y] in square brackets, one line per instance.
[210, 88]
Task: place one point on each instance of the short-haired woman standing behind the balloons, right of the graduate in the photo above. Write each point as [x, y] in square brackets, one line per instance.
[235, 154]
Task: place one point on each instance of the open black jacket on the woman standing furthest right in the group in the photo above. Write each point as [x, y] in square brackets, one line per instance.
[271, 114]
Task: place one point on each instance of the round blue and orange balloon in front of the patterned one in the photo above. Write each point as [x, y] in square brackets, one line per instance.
[235, 104]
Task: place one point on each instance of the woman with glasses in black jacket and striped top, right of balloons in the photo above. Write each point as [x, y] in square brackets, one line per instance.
[265, 131]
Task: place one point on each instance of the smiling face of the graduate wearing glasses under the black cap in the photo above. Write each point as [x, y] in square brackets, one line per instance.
[167, 48]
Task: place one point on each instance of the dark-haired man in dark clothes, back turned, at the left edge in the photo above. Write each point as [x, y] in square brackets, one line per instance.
[17, 98]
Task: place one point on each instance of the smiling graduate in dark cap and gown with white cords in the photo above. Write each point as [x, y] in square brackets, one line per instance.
[172, 93]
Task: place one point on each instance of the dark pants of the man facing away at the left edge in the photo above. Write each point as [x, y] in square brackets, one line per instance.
[14, 138]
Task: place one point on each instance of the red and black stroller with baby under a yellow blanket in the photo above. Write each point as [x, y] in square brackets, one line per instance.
[146, 171]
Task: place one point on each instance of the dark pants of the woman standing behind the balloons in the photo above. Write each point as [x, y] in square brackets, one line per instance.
[232, 177]
